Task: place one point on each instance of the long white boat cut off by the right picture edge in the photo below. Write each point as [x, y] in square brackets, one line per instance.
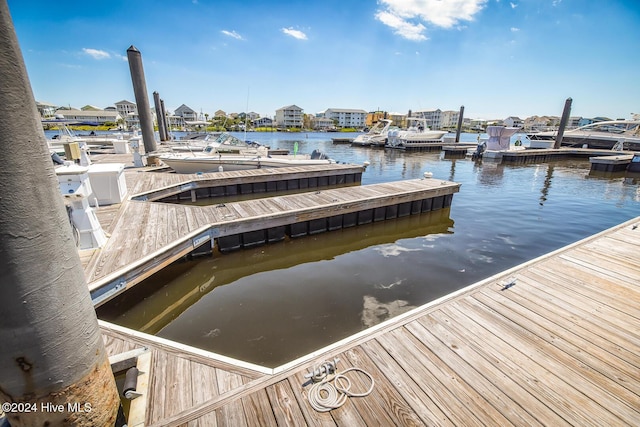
[610, 134]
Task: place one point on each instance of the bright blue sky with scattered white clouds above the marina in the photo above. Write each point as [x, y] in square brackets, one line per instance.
[496, 57]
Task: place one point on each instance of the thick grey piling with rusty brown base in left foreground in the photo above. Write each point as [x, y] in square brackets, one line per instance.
[52, 356]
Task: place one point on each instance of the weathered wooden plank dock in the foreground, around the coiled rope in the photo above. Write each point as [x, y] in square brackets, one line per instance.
[554, 341]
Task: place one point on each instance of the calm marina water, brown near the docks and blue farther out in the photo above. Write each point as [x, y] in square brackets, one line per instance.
[272, 304]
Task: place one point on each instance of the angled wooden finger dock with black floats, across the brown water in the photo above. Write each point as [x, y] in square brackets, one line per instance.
[147, 236]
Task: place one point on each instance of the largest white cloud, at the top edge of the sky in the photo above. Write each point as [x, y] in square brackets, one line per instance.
[406, 17]
